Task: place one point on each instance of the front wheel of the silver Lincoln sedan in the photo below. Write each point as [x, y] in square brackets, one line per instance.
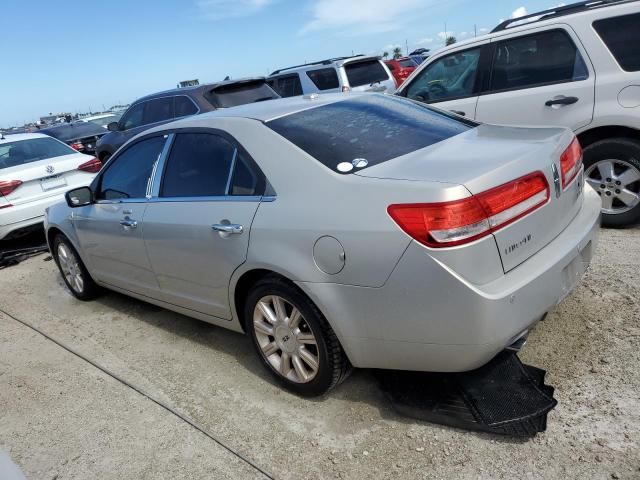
[74, 273]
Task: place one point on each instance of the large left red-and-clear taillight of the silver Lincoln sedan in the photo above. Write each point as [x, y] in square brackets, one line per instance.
[462, 221]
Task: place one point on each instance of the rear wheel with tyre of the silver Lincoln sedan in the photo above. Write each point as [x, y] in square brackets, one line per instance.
[293, 339]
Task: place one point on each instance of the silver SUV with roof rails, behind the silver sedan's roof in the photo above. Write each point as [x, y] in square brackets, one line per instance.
[360, 74]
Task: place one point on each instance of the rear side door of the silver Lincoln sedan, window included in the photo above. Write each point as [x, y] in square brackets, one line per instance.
[196, 229]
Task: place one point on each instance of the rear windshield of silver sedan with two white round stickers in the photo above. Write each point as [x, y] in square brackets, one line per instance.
[366, 130]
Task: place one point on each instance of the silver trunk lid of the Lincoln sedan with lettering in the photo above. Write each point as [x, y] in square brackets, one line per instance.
[489, 156]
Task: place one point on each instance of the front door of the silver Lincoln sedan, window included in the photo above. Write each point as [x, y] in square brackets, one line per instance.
[110, 229]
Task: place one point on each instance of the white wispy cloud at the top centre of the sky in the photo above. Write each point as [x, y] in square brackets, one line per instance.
[361, 15]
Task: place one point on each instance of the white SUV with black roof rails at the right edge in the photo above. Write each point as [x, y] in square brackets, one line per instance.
[576, 66]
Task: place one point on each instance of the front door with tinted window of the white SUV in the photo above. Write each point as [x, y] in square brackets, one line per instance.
[449, 82]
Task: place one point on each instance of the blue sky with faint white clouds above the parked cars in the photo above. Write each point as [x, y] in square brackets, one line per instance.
[76, 55]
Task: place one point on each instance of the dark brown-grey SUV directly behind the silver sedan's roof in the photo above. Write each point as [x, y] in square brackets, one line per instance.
[164, 107]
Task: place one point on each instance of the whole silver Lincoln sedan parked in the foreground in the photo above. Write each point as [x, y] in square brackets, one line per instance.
[422, 242]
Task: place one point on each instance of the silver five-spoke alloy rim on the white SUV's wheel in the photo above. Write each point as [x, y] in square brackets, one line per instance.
[618, 184]
